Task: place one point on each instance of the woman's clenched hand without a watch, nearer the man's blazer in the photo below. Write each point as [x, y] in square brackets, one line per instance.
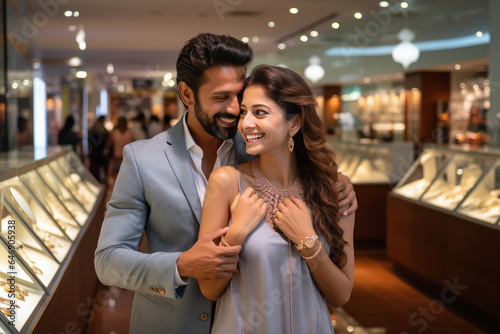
[247, 211]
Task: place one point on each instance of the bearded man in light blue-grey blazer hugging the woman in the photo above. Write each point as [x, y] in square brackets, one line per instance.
[160, 190]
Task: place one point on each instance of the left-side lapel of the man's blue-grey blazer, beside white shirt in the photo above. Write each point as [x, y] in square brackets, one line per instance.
[178, 158]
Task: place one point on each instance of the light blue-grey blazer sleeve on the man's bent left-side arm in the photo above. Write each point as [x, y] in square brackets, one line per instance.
[117, 261]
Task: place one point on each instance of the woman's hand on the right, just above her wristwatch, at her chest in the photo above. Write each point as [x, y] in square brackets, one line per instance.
[294, 220]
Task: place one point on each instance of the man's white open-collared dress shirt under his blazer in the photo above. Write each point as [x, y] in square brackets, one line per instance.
[225, 156]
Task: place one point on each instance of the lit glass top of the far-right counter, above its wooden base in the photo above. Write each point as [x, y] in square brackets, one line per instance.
[465, 183]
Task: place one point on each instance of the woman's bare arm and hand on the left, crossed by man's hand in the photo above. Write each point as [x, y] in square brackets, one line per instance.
[223, 202]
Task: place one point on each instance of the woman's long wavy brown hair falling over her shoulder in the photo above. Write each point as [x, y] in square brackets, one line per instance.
[316, 162]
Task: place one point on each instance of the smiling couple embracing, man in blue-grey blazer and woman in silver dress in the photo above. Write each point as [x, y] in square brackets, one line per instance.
[161, 187]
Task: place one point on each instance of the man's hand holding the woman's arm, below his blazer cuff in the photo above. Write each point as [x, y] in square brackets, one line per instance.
[206, 260]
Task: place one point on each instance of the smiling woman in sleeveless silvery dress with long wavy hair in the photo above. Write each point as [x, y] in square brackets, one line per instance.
[297, 249]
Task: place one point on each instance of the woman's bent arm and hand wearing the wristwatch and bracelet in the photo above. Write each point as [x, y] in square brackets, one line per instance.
[335, 283]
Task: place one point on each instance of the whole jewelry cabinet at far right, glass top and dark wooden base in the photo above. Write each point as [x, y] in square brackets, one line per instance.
[443, 225]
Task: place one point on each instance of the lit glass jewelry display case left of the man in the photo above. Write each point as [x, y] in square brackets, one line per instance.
[46, 206]
